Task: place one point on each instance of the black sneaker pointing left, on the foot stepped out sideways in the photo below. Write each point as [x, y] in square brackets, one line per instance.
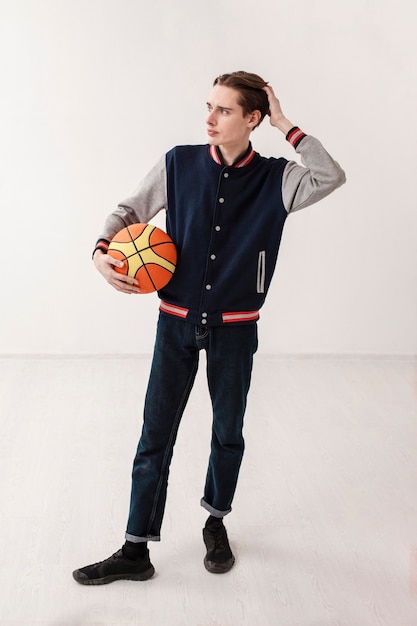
[116, 567]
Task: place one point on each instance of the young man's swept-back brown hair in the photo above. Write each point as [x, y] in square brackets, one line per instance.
[250, 87]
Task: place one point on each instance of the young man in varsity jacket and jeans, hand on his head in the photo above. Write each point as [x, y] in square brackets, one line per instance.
[225, 210]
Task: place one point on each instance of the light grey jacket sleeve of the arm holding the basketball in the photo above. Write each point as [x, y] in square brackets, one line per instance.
[149, 198]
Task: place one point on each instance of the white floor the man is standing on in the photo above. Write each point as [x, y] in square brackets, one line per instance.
[324, 525]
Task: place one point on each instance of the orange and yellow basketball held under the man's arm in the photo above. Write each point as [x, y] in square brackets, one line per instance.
[148, 254]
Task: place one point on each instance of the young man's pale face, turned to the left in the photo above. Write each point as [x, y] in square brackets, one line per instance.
[227, 126]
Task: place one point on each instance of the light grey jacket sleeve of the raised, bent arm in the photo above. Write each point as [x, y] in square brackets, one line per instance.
[319, 175]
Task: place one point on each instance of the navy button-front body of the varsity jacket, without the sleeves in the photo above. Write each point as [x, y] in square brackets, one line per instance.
[227, 224]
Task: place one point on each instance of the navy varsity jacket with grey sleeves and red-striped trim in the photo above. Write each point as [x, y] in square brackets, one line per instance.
[226, 222]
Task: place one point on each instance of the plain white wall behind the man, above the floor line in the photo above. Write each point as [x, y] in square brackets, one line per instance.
[94, 91]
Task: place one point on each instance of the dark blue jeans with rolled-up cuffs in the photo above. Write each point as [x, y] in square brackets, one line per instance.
[230, 351]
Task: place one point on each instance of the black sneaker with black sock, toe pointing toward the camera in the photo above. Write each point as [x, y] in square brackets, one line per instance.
[219, 558]
